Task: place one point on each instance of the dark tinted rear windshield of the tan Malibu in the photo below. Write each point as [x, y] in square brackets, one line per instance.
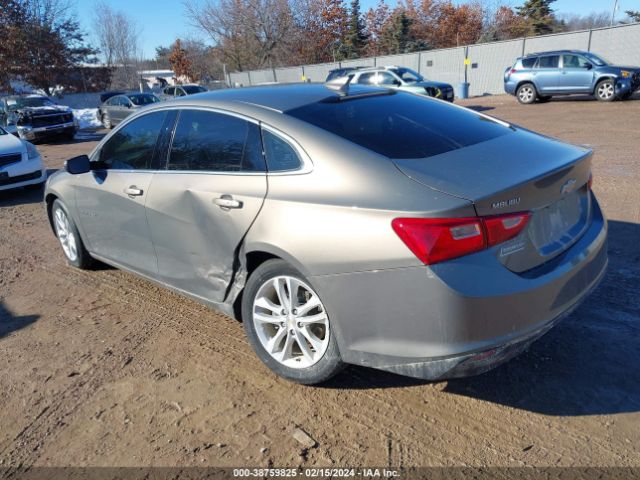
[401, 125]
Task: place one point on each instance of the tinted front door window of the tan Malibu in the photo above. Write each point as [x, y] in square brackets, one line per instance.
[132, 146]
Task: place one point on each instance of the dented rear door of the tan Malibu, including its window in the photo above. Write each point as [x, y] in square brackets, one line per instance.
[201, 207]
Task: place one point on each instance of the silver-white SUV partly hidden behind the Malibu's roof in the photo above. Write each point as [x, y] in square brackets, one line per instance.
[400, 78]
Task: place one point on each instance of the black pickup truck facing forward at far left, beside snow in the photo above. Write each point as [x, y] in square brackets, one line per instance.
[35, 117]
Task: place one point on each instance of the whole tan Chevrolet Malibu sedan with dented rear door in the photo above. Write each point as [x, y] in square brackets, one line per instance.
[397, 231]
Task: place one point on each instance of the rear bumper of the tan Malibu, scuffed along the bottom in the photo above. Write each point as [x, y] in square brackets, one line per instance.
[461, 317]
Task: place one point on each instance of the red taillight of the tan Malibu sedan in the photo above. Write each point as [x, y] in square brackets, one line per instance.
[434, 240]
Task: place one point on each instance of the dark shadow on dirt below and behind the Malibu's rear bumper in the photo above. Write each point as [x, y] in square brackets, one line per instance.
[589, 364]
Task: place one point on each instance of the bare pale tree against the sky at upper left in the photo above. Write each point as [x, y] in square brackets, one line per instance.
[119, 39]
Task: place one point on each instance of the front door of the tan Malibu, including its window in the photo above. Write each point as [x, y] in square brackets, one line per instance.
[110, 198]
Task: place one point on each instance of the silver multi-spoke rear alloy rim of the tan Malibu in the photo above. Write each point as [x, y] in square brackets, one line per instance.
[291, 322]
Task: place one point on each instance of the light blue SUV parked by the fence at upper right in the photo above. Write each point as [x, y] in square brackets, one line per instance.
[540, 76]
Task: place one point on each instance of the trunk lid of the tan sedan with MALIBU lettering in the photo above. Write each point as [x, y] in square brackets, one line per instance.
[517, 172]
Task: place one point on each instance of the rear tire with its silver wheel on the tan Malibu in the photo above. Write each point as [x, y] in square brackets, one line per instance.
[302, 351]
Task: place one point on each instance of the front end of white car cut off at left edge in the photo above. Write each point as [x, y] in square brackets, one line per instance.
[20, 163]
